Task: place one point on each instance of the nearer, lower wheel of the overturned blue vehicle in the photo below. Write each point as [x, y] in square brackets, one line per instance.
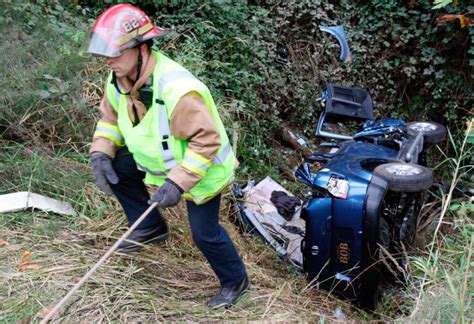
[405, 177]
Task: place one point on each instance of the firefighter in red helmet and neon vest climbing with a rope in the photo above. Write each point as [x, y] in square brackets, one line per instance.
[160, 126]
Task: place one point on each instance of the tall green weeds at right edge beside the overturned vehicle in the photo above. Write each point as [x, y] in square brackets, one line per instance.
[443, 277]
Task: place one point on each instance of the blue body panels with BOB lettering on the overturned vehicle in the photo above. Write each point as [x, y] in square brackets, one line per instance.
[344, 234]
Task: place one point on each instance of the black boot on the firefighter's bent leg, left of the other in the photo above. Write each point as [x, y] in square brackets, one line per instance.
[154, 234]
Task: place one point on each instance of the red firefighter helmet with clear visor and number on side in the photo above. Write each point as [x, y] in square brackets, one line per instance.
[119, 28]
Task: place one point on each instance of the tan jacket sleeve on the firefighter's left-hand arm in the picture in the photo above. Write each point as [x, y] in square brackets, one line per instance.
[108, 116]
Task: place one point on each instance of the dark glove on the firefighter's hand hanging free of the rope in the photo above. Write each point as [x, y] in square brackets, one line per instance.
[103, 171]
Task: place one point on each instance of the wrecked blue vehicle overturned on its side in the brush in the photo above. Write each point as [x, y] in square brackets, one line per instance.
[364, 202]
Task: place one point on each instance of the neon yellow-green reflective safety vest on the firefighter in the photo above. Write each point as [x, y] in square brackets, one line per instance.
[154, 149]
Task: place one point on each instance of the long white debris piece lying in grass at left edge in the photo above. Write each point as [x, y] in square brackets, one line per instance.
[22, 200]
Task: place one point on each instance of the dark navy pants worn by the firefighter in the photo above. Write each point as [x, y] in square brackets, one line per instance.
[209, 236]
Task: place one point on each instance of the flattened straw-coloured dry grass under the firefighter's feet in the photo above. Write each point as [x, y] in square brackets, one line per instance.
[166, 282]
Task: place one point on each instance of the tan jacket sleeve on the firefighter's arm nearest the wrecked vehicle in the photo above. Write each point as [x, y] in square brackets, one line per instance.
[192, 121]
